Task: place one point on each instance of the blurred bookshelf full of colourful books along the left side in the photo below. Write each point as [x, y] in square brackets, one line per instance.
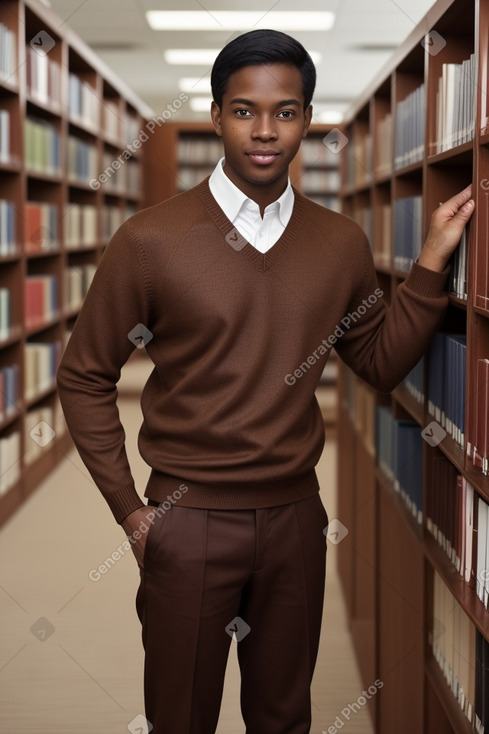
[64, 117]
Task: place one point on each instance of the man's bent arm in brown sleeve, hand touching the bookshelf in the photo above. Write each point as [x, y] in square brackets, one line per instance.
[383, 344]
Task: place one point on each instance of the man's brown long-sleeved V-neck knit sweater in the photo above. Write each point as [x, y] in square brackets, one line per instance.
[239, 340]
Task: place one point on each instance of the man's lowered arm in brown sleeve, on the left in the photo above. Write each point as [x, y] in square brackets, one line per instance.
[118, 300]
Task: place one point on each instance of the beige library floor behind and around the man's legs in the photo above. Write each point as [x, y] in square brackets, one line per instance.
[70, 650]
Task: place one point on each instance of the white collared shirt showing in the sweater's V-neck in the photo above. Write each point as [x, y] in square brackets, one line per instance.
[244, 213]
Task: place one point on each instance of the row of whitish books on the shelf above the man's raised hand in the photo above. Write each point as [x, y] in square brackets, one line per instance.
[455, 104]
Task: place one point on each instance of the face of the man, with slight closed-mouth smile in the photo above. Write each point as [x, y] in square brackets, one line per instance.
[262, 122]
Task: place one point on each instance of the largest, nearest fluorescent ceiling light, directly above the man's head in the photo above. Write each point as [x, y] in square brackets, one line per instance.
[230, 20]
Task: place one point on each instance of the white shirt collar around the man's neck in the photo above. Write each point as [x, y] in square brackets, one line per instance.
[231, 199]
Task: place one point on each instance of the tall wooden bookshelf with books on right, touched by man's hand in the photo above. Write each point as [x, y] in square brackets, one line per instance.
[413, 484]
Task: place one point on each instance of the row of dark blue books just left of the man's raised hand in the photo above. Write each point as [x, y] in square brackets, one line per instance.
[408, 231]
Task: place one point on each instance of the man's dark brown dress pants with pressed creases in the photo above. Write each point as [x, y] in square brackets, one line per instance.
[214, 576]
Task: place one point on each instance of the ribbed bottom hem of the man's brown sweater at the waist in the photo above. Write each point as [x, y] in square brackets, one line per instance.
[232, 495]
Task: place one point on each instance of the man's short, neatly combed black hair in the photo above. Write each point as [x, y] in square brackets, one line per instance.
[259, 47]
